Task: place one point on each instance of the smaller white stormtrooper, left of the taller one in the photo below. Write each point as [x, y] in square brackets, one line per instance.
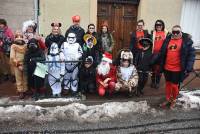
[54, 69]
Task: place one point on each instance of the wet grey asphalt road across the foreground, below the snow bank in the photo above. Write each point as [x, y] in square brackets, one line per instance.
[157, 120]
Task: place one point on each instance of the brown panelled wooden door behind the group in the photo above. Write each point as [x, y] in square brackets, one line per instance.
[121, 19]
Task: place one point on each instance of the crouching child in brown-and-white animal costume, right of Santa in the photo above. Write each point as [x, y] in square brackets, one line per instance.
[127, 76]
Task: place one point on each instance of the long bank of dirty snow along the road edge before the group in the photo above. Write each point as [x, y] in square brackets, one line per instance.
[74, 111]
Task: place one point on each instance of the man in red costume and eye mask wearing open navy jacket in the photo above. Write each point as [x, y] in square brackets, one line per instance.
[177, 60]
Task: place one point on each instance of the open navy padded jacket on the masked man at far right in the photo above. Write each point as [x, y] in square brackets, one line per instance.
[187, 54]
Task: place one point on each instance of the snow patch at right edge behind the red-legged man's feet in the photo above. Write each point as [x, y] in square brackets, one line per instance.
[189, 99]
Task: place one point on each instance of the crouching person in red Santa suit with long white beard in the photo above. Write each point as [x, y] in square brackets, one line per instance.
[106, 75]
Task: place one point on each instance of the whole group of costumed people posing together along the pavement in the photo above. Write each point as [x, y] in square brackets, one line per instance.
[82, 62]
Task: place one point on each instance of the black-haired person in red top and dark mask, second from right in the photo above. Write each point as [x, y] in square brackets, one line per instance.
[158, 36]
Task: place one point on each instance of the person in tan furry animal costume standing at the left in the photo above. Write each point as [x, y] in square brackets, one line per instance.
[18, 50]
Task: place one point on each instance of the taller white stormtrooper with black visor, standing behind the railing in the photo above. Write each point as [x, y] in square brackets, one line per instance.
[71, 51]
